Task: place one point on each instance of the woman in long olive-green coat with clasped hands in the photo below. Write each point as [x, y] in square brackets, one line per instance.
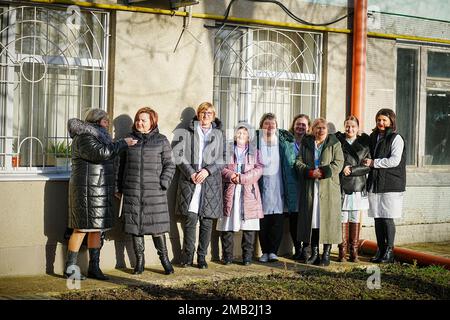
[319, 162]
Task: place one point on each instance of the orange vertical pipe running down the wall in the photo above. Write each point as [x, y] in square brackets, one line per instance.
[359, 59]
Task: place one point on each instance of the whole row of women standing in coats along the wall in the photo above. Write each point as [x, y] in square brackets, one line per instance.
[248, 185]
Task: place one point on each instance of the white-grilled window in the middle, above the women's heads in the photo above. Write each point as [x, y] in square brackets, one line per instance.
[266, 70]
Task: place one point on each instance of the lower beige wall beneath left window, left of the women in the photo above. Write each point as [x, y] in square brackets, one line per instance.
[33, 218]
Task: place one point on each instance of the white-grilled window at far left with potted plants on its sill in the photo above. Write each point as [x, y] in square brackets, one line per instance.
[52, 68]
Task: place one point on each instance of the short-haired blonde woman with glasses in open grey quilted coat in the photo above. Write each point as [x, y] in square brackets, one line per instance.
[199, 155]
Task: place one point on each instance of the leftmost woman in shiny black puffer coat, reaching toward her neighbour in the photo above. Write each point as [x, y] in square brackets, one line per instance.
[91, 188]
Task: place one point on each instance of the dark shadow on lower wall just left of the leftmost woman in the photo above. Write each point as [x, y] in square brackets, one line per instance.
[55, 222]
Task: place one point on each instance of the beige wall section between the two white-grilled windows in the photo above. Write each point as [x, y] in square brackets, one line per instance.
[148, 72]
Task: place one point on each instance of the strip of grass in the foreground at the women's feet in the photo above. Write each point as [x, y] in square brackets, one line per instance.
[396, 282]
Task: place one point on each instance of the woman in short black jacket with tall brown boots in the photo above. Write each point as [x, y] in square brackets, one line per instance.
[353, 185]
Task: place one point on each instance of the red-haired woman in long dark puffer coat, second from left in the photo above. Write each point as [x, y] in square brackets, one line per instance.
[145, 173]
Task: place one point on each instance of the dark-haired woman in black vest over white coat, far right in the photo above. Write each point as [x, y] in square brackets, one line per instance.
[387, 182]
